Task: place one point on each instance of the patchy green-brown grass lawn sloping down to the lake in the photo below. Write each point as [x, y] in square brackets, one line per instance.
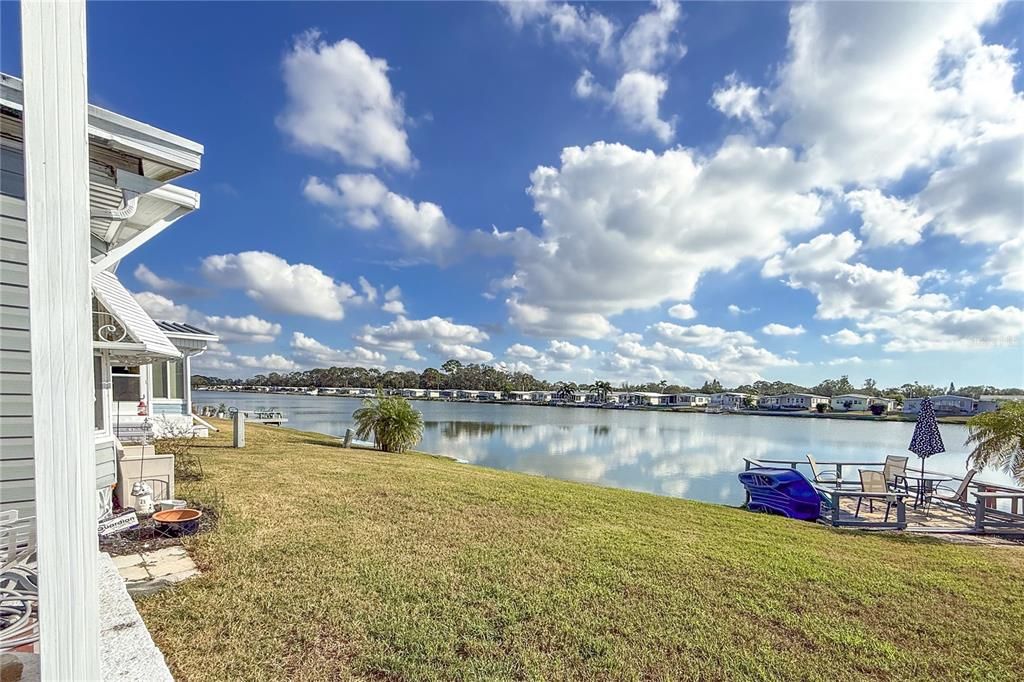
[336, 565]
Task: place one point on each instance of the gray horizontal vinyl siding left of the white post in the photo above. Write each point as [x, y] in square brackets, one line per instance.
[17, 463]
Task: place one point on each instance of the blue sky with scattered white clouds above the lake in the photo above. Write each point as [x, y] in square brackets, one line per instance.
[790, 174]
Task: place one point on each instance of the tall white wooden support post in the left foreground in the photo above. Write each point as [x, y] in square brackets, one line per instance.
[57, 169]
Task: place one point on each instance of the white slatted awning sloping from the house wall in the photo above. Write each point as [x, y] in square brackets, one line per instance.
[123, 329]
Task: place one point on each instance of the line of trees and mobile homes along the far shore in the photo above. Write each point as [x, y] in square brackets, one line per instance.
[455, 375]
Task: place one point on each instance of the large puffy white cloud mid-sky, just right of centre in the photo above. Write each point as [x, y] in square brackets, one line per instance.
[631, 230]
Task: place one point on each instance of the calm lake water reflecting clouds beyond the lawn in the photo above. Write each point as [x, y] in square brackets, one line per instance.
[694, 456]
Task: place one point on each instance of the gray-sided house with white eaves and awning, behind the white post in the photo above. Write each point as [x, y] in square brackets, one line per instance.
[132, 201]
